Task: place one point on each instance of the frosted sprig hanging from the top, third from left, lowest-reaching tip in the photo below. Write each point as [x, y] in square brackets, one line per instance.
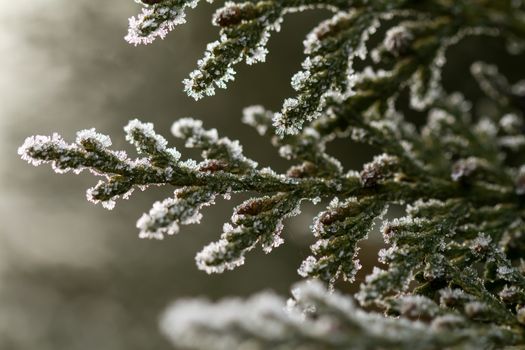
[331, 48]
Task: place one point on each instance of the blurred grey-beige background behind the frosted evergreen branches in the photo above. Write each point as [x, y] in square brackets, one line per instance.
[74, 275]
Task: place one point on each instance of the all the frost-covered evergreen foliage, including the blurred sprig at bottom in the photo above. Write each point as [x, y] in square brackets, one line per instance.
[452, 273]
